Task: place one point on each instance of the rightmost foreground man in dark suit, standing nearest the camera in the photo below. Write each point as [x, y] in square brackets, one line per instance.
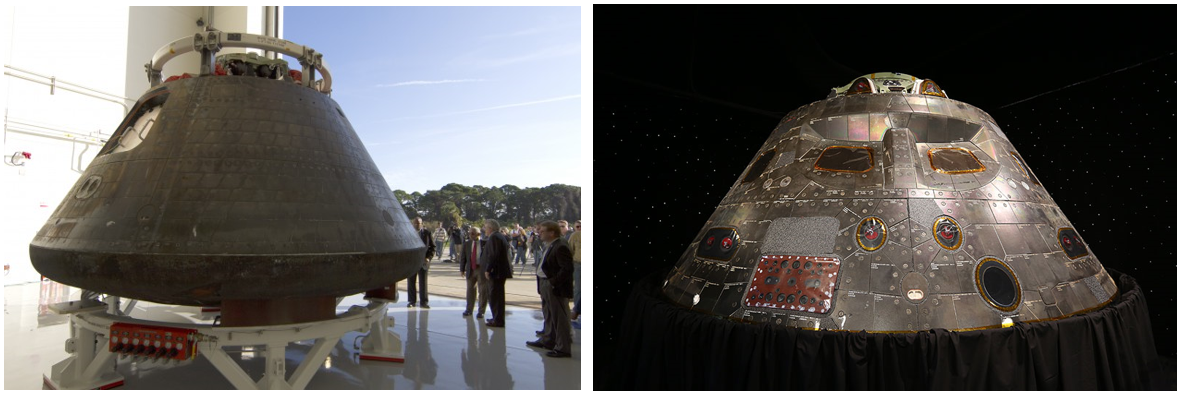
[555, 282]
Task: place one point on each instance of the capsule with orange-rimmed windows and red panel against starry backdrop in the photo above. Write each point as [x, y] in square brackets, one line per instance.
[890, 208]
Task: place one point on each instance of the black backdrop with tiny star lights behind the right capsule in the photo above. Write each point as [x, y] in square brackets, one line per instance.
[686, 95]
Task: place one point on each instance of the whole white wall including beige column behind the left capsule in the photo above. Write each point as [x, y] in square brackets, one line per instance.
[98, 48]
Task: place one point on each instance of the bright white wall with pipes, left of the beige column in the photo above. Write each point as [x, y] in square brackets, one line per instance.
[75, 44]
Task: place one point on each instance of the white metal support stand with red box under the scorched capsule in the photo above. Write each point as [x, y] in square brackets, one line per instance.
[90, 365]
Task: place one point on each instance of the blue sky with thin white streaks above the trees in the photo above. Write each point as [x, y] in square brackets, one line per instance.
[477, 96]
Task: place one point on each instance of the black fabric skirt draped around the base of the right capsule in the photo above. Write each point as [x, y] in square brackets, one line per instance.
[664, 346]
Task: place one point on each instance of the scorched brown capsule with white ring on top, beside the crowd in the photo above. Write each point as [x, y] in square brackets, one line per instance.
[248, 190]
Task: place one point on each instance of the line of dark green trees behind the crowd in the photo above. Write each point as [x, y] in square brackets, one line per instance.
[508, 204]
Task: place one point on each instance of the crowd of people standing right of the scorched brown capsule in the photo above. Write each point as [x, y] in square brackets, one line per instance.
[486, 259]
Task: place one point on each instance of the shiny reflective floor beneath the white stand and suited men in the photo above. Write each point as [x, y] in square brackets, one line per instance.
[443, 349]
